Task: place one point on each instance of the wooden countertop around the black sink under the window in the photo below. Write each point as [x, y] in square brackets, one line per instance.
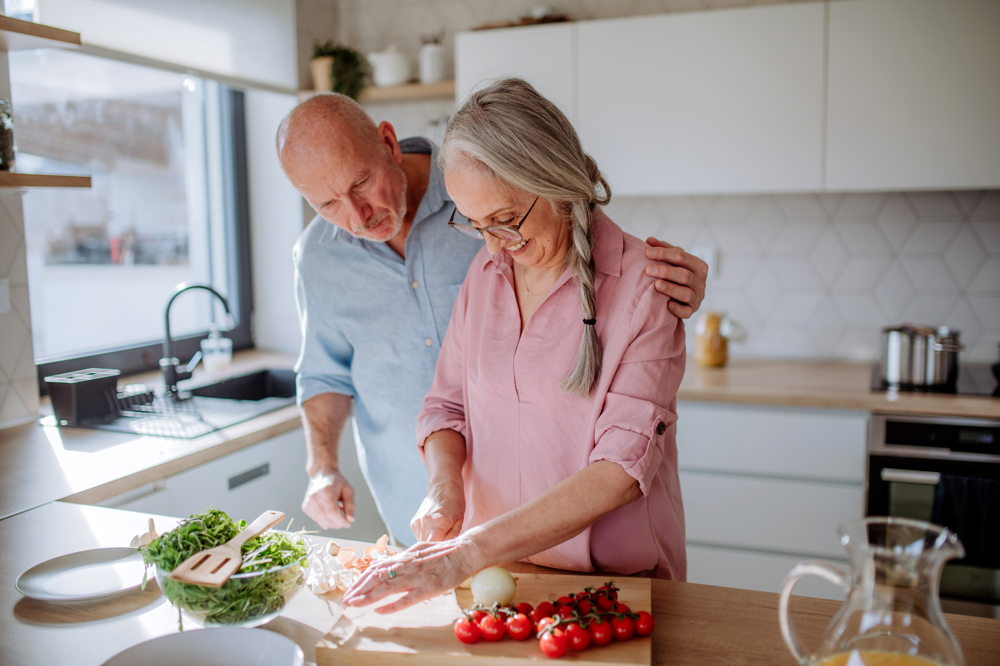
[40, 464]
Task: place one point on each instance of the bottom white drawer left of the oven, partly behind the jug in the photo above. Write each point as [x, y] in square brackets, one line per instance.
[754, 571]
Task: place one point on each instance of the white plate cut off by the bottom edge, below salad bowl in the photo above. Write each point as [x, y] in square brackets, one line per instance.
[224, 646]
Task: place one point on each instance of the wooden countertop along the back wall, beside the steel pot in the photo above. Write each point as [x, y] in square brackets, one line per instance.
[823, 384]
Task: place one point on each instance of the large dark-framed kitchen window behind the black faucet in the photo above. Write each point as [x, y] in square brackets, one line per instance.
[167, 205]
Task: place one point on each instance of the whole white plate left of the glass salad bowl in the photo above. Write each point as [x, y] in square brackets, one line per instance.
[88, 574]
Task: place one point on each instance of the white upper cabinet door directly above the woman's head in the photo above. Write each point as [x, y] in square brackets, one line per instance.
[541, 55]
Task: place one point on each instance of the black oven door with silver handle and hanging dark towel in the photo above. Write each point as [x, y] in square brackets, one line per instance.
[907, 487]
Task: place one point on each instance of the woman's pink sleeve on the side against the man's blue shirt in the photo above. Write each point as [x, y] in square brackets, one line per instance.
[444, 404]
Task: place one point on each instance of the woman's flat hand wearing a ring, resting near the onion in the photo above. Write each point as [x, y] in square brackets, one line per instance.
[423, 571]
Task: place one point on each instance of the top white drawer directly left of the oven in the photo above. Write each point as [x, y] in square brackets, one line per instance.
[791, 443]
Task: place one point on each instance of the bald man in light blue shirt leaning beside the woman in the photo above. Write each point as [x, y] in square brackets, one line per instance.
[377, 273]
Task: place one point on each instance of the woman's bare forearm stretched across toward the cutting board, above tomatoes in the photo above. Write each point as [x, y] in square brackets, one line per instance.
[558, 514]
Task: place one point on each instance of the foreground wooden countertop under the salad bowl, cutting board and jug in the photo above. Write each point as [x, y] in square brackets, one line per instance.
[695, 624]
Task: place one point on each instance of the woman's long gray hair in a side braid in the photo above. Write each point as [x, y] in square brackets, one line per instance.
[520, 140]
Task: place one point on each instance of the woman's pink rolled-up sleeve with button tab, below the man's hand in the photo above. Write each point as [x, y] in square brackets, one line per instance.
[637, 419]
